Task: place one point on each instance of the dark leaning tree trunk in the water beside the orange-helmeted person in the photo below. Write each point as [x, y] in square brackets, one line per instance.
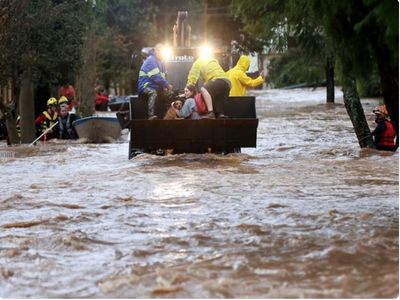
[356, 113]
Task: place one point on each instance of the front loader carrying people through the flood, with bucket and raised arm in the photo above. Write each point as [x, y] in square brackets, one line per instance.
[189, 136]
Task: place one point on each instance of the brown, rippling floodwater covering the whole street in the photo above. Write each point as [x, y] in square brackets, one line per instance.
[305, 214]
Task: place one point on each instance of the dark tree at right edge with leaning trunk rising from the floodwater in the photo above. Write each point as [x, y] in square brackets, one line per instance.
[365, 32]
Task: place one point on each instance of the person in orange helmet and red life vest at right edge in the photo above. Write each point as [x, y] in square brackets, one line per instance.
[384, 133]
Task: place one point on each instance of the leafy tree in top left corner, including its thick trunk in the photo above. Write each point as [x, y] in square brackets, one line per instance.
[39, 41]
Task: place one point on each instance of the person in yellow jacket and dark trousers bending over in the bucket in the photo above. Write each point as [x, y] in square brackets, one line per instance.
[216, 85]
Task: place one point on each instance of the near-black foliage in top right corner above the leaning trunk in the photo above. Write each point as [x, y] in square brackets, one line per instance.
[353, 26]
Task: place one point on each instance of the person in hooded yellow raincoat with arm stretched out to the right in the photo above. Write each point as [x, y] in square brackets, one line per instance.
[240, 81]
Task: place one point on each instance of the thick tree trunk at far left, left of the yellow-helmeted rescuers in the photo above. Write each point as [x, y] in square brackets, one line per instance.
[26, 109]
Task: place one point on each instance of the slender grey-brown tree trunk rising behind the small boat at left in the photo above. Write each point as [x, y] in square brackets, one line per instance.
[86, 79]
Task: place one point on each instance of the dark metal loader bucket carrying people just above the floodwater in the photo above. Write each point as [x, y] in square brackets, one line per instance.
[194, 136]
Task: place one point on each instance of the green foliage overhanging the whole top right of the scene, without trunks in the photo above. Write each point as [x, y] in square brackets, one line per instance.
[354, 31]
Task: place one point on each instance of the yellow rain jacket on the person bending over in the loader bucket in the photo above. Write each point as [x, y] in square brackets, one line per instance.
[207, 69]
